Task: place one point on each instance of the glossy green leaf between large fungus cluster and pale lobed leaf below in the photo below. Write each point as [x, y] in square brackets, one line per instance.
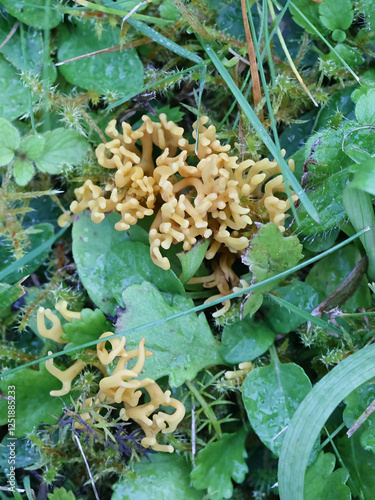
[129, 263]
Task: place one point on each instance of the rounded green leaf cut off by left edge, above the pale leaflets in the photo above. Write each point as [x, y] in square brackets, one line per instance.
[14, 100]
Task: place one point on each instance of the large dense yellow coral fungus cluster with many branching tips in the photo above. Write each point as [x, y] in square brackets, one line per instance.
[195, 194]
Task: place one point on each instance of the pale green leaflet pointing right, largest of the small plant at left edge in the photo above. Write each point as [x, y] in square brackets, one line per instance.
[62, 147]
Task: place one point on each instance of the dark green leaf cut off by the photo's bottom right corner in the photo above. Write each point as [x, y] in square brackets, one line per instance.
[360, 464]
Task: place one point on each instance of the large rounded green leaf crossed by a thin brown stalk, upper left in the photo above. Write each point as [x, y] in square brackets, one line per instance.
[120, 71]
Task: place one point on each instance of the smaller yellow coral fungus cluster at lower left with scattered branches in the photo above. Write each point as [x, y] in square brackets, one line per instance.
[120, 386]
